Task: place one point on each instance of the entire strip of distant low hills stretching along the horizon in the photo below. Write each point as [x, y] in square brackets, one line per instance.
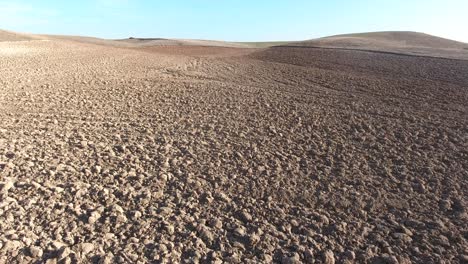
[402, 42]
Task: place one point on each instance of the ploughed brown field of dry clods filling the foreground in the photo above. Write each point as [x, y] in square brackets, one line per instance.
[217, 155]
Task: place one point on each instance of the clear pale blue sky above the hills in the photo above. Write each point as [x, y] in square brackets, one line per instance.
[234, 20]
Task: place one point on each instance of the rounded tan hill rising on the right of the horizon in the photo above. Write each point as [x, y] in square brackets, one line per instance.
[390, 39]
